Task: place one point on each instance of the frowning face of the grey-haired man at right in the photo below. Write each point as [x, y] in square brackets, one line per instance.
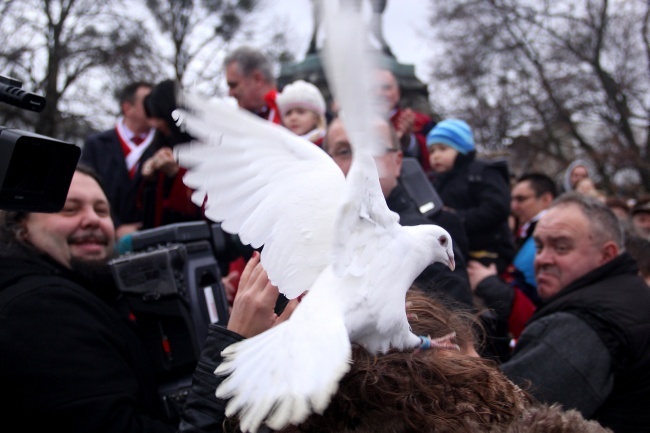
[566, 249]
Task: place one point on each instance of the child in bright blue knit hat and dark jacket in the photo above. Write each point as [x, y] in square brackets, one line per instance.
[478, 191]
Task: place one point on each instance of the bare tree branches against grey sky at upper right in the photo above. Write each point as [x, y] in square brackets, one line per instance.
[557, 80]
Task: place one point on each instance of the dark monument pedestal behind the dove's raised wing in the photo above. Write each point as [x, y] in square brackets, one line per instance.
[414, 93]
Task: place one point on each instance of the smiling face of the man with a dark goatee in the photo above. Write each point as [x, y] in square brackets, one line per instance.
[82, 230]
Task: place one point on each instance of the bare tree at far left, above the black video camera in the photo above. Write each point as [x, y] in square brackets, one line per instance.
[60, 48]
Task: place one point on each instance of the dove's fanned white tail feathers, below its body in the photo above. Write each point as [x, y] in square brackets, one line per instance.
[282, 375]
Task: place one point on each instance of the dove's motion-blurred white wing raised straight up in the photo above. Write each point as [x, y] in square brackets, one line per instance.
[365, 224]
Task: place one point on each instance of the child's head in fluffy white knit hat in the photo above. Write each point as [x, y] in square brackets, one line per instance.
[302, 109]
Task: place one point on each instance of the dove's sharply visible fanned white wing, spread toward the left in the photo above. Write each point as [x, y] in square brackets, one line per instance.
[266, 184]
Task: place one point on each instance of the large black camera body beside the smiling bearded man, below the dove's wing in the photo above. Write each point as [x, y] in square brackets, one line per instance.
[172, 283]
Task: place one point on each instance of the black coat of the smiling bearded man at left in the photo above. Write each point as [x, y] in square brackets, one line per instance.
[69, 361]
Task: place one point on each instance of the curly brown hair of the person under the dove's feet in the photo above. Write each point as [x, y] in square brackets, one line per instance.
[438, 390]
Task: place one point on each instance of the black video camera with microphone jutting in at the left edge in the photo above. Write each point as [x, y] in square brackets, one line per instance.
[35, 171]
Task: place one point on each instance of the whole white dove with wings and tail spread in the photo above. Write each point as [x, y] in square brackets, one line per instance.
[321, 232]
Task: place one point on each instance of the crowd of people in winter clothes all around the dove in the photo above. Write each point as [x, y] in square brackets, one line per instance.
[548, 301]
